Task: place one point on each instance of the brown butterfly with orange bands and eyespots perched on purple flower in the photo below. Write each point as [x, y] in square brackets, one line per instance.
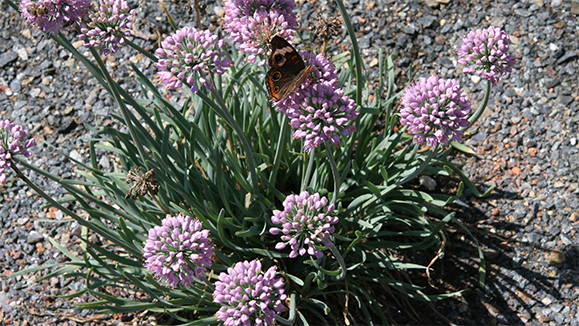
[287, 71]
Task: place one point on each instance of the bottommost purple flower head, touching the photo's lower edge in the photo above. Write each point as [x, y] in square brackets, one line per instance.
[249, 296]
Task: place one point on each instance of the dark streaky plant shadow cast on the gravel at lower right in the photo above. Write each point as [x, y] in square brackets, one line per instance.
[512, 289]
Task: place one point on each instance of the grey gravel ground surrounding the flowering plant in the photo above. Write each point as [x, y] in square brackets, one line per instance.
[526, 145]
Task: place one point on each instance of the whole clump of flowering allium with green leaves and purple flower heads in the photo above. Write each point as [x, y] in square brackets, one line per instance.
[232, 161]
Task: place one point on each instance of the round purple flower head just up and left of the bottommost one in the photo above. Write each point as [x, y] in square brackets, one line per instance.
[178, 250]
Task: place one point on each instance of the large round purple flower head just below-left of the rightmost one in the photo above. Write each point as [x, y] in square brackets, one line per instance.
[434, 110]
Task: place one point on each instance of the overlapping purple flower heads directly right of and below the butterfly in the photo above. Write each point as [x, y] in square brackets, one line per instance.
[319, 110]
